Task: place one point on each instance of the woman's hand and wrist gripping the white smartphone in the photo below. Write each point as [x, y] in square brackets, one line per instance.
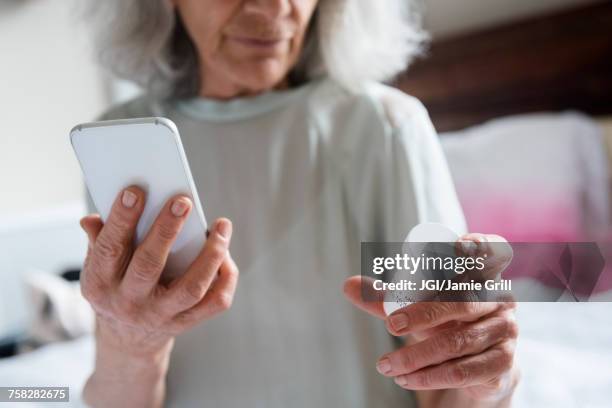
[137, 316]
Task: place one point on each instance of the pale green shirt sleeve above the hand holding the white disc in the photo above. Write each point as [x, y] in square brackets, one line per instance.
[399, 176]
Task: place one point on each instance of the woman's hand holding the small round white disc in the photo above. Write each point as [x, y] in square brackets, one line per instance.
[466, 346]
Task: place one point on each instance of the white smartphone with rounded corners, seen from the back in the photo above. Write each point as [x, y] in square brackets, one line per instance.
[146, 152]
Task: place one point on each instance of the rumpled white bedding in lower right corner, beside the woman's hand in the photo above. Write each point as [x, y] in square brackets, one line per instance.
[565, 355]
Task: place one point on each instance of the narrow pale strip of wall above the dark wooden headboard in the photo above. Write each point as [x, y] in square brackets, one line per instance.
[445, 17]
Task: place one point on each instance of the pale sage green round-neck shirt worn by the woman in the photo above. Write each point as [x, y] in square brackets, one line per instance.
[305, 175]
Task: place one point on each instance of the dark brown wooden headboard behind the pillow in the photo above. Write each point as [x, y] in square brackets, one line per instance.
[548, 63]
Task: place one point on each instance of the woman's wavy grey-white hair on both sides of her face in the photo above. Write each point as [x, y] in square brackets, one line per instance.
[352, 41]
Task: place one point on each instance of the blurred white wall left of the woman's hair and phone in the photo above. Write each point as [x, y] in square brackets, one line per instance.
[48, 83]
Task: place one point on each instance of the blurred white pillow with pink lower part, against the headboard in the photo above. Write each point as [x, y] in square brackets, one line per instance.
[534, 178]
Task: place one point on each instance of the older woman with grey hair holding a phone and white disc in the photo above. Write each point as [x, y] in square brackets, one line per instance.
[290, 136]
